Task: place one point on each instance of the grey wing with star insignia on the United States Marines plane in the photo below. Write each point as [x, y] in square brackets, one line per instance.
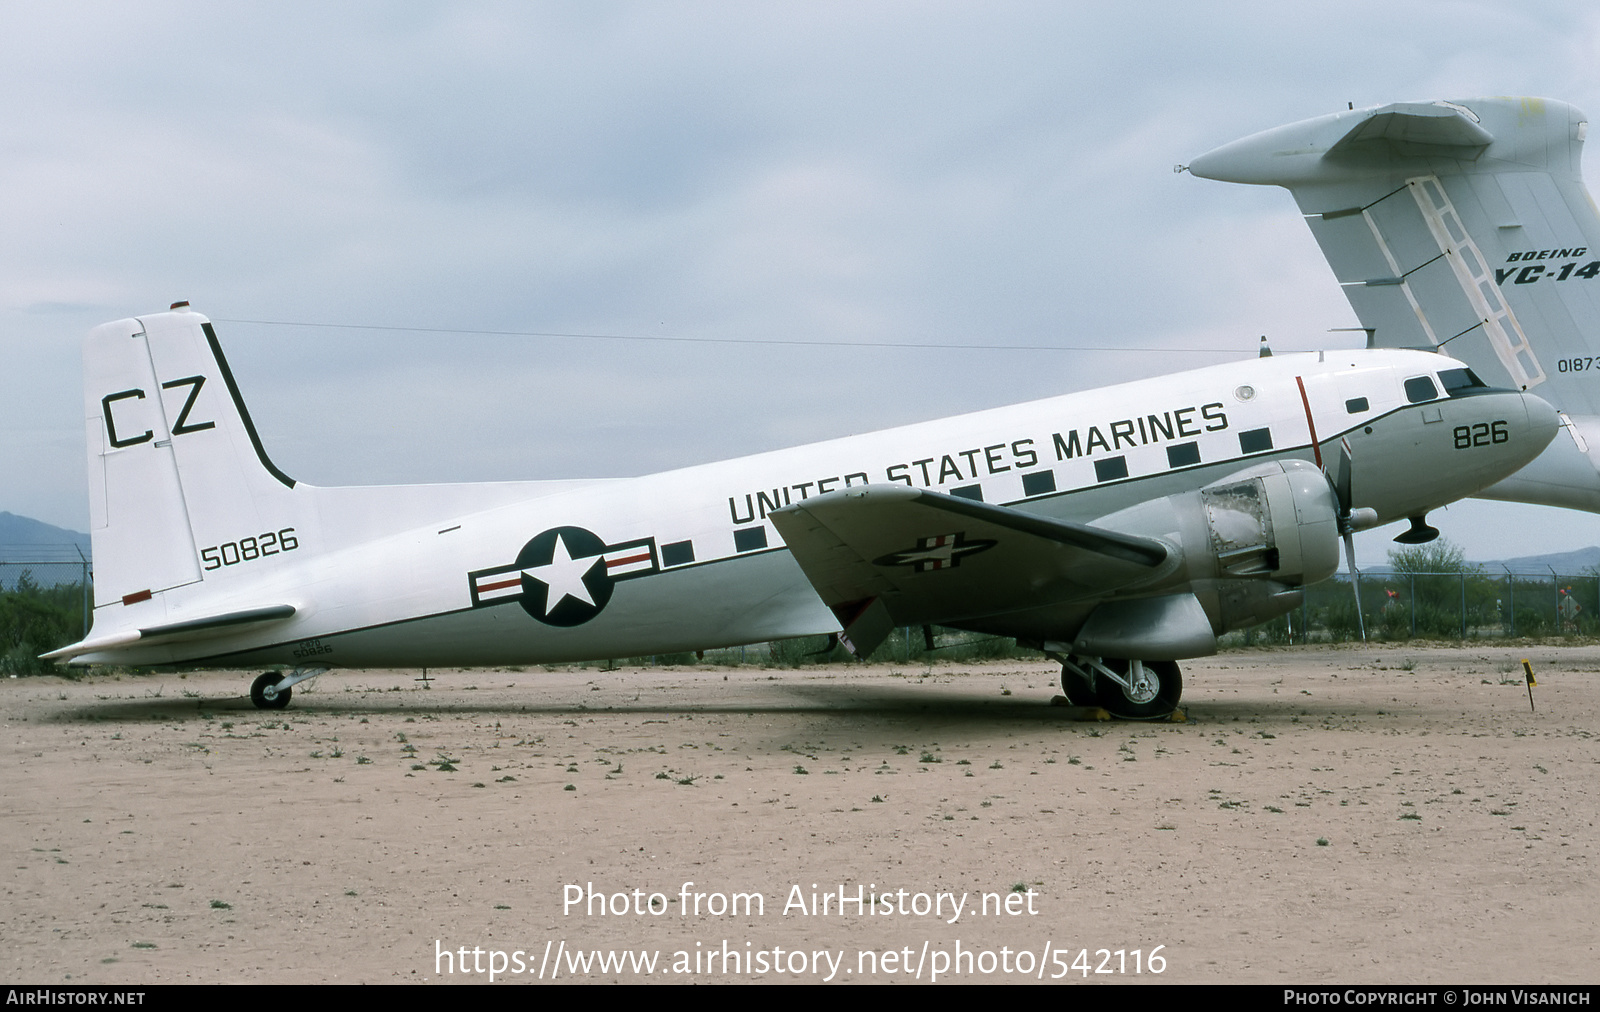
[894, 556]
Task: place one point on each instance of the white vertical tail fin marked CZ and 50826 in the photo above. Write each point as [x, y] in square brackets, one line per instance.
[180, 489]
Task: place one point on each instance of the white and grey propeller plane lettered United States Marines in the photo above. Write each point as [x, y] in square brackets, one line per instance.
[1119, 531]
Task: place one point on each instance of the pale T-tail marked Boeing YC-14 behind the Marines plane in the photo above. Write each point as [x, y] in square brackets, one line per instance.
[1462, 227]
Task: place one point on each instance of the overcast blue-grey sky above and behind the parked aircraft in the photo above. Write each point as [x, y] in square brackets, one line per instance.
[985, 175]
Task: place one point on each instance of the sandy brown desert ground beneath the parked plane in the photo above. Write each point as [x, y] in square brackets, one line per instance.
[1358, 816]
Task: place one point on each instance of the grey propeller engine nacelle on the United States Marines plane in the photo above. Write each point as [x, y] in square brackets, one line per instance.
[1246, 545]
